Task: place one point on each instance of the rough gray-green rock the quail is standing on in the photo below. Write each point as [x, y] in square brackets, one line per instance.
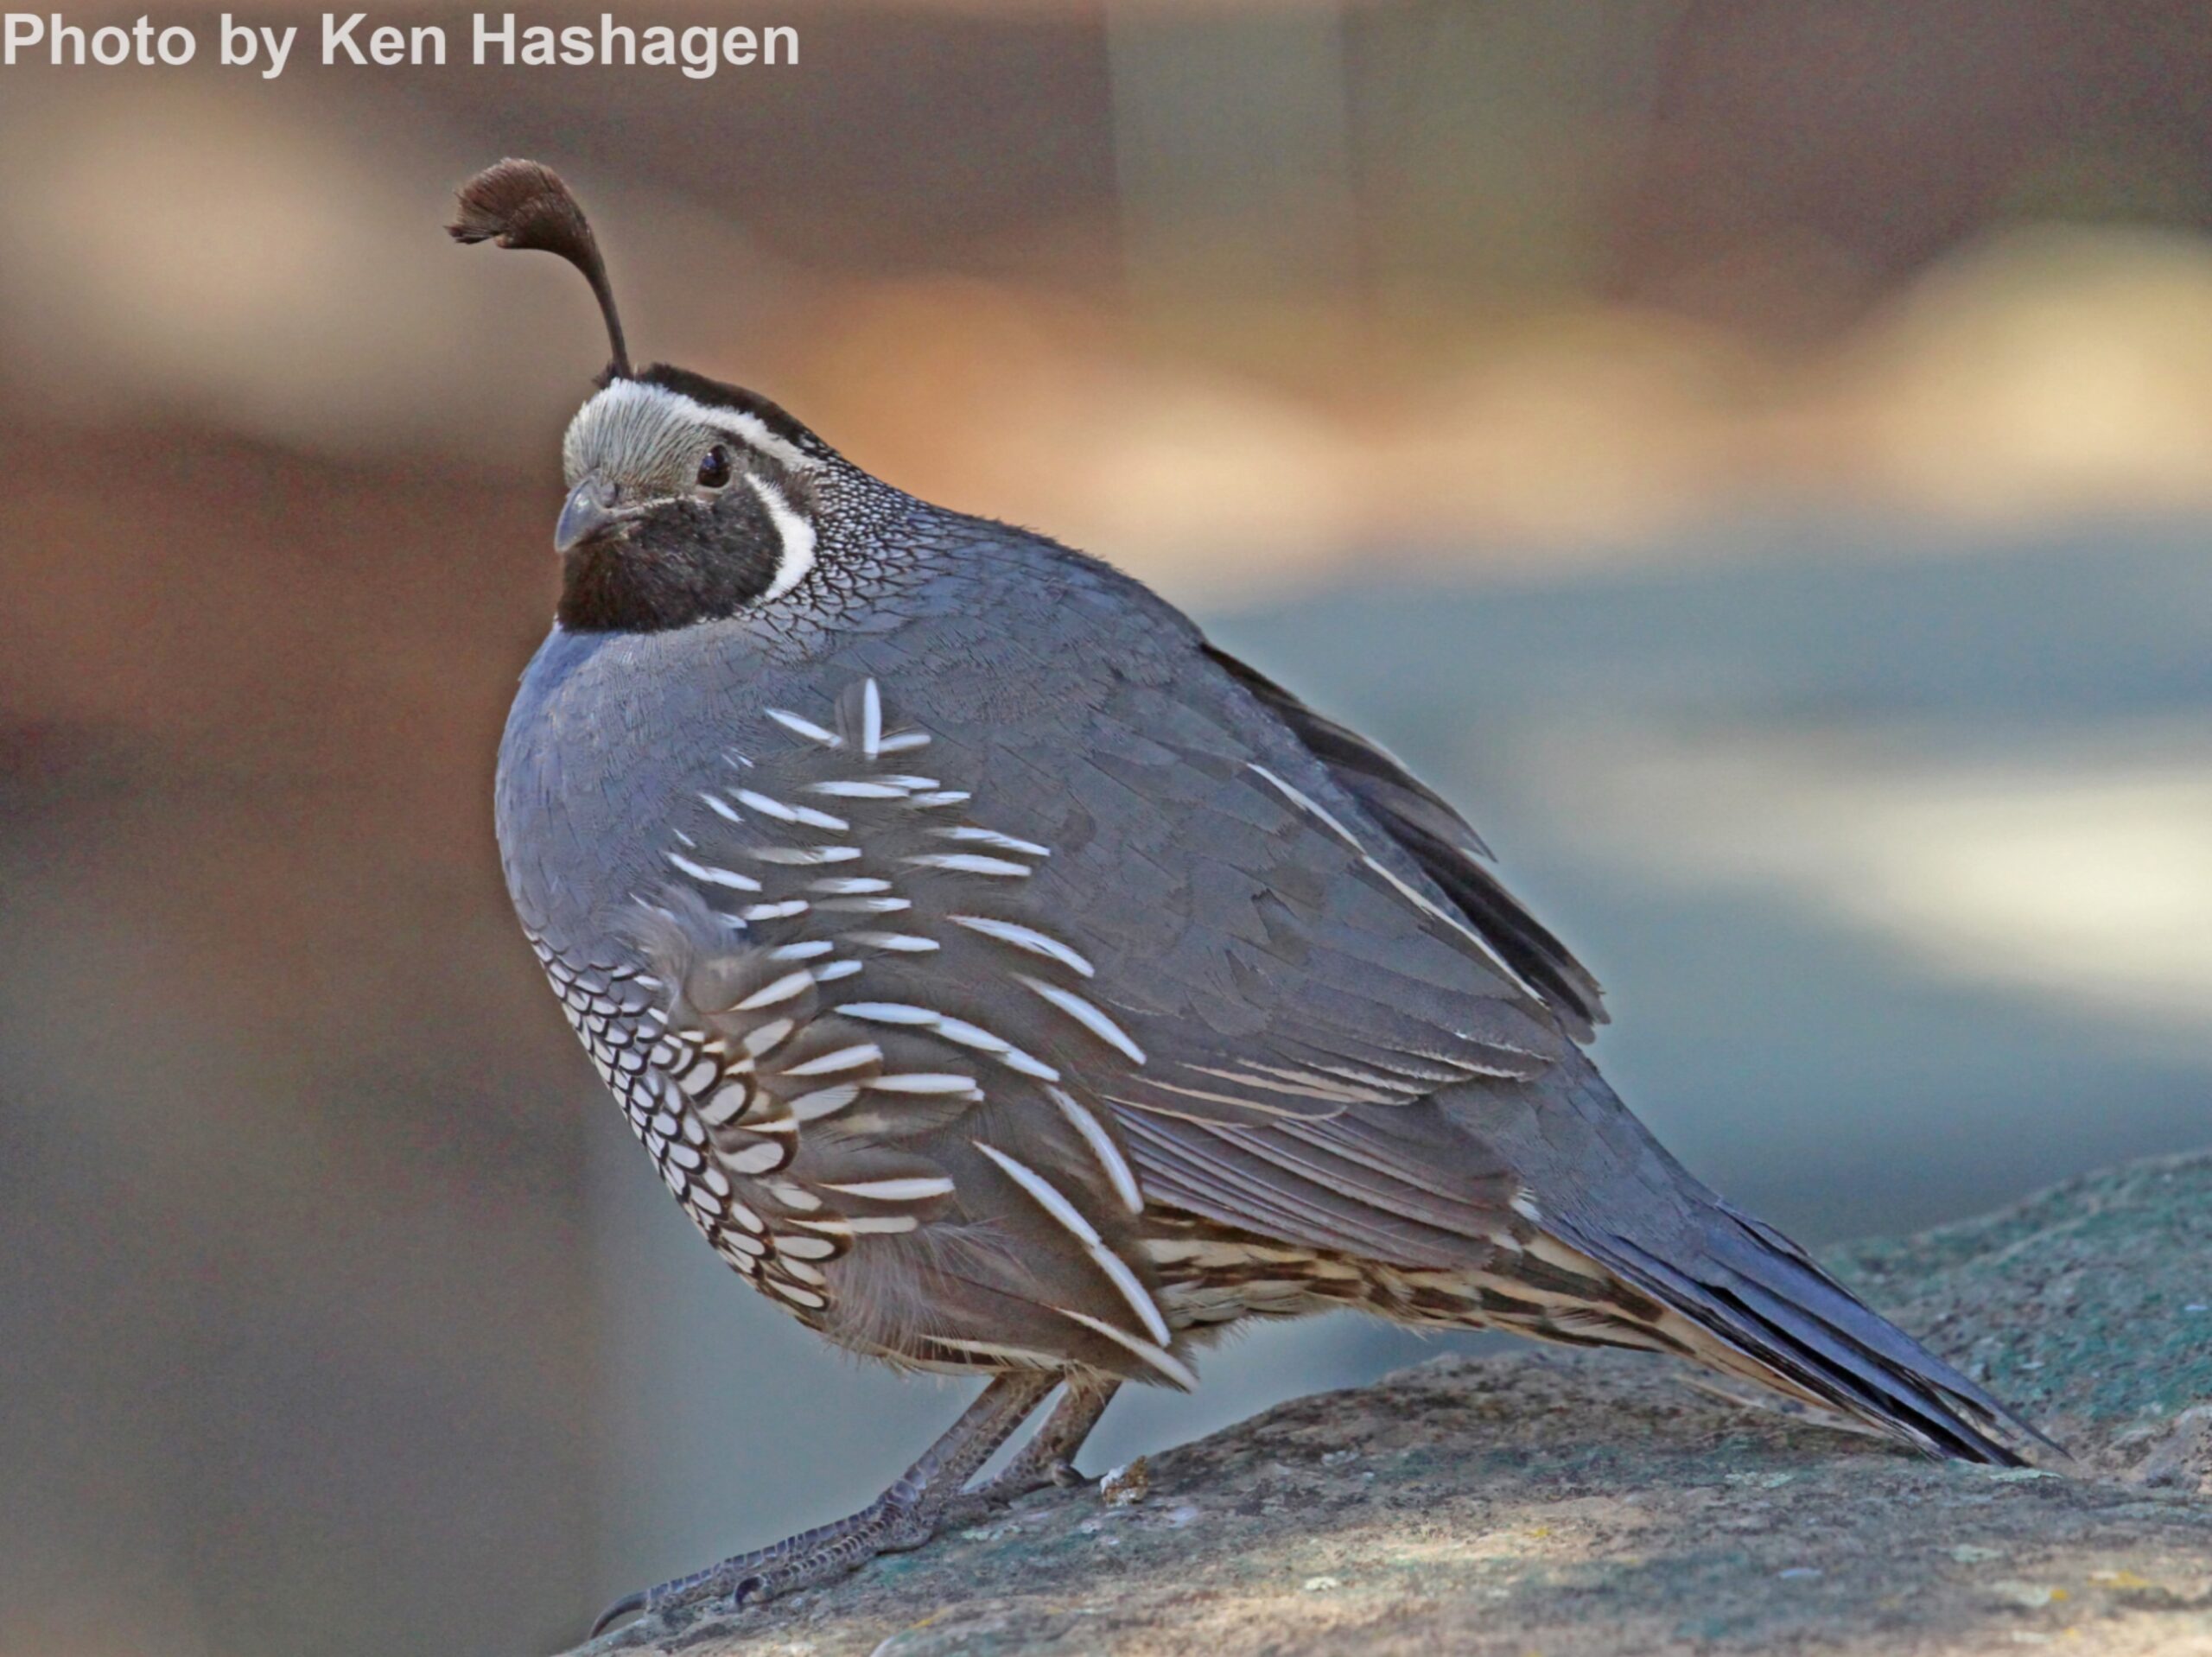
[1580, 1505]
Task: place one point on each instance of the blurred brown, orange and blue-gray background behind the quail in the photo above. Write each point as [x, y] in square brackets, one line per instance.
[1757, 457]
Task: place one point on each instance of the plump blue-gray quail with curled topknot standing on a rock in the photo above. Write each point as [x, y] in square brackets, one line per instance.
[1012, 983]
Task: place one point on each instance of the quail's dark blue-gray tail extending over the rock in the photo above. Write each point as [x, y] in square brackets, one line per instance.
[1762, 1300]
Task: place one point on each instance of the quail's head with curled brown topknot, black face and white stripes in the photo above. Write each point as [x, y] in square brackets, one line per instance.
[689, 499]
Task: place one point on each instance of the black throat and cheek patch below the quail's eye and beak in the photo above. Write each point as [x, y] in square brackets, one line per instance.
[680, 563]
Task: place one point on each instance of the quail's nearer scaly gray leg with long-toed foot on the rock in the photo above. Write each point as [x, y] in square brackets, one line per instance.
[901, 1519]
